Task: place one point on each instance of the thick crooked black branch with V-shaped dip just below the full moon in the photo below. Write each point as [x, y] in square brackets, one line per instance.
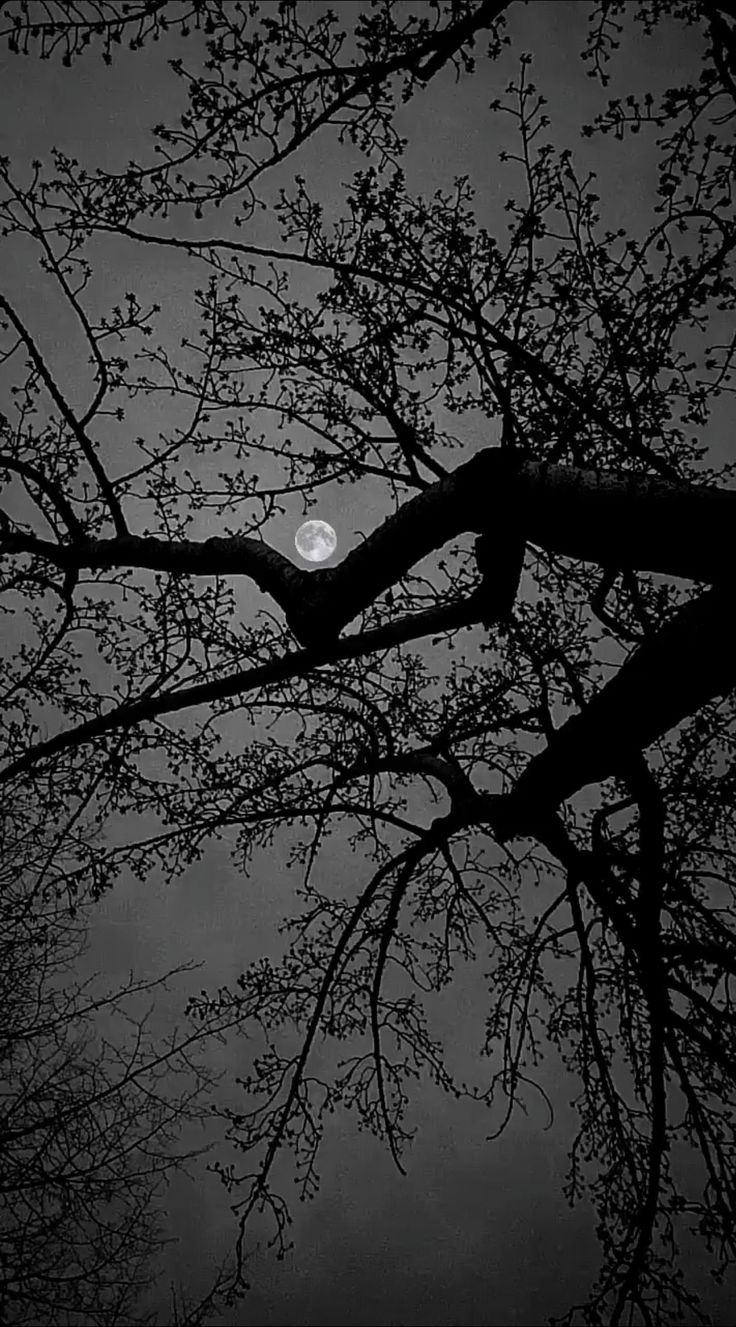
[616, 521]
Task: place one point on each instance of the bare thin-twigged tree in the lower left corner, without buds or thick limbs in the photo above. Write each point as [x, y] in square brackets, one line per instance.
[92, 1117]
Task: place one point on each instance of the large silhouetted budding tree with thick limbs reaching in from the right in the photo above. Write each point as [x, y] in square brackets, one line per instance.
[567, 585]
